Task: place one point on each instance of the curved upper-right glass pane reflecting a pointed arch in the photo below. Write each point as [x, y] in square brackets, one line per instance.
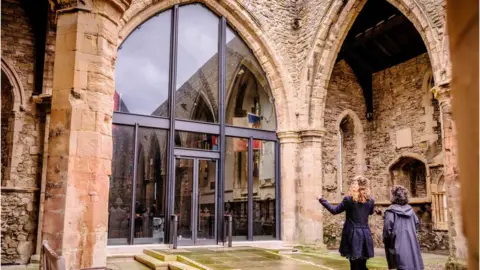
[248, 99]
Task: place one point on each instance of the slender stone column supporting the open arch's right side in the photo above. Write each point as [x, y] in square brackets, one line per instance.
[451, 173]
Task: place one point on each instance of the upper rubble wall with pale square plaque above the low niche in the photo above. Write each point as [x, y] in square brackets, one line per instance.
[399, 111]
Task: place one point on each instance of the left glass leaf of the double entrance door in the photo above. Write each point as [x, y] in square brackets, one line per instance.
[183, 197]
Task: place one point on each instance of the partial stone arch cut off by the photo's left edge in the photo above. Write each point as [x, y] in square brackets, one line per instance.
[14, 121]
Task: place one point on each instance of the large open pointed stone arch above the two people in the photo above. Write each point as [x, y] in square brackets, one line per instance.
[329, 38]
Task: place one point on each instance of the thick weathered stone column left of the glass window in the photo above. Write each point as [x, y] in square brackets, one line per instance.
[80, 145]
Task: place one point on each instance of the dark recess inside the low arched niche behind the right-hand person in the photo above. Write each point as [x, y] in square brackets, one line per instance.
[411, 173]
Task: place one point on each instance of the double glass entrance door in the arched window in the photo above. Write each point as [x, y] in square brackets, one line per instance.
[195, 200]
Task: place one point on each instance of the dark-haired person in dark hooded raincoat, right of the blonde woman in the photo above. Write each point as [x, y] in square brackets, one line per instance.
[400, 233]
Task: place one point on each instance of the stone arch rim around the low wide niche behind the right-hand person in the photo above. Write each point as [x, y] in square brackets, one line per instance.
[408, 157]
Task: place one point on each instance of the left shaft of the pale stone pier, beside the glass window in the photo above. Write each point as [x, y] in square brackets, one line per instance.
[289, 141]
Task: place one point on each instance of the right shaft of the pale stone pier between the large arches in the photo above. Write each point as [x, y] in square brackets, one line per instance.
[309, 187]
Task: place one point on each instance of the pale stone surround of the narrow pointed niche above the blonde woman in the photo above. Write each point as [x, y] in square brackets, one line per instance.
[358, 139]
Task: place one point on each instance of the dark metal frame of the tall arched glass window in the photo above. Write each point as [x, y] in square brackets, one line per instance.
[172, 124]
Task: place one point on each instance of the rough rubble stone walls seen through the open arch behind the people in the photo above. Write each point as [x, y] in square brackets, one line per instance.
[398, 104]
